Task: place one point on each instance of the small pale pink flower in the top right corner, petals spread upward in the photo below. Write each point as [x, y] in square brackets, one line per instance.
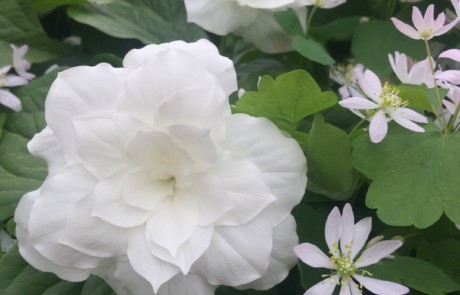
[426, 27]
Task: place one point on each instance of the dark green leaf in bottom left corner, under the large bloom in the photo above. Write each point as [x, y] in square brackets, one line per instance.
[17, 277]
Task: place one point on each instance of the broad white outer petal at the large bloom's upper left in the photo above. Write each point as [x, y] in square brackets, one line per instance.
[80, 91]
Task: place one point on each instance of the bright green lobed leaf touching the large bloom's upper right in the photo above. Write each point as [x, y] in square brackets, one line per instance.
[286, 100]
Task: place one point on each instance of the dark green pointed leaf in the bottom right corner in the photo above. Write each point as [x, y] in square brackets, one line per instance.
[414, 273]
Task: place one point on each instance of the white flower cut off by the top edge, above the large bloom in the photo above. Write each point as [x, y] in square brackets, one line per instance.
[251, 19]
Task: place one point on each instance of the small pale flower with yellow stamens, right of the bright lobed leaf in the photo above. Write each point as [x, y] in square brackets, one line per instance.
[383, 101]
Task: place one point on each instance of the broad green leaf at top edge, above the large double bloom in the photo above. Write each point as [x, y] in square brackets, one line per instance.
[137, 20]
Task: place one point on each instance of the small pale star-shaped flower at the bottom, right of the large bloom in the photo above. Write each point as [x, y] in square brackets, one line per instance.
[345, 239]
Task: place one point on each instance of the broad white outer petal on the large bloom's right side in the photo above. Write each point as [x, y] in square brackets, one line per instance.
[260, 141]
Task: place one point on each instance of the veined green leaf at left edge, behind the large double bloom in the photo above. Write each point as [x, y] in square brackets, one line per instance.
[20, 172]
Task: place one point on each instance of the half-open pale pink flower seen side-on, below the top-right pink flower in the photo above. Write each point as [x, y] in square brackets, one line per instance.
[409, 72]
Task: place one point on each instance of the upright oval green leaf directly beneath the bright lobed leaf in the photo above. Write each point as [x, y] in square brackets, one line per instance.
[328, 153]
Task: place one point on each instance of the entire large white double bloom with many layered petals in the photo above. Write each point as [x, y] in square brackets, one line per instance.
[154, 186]
